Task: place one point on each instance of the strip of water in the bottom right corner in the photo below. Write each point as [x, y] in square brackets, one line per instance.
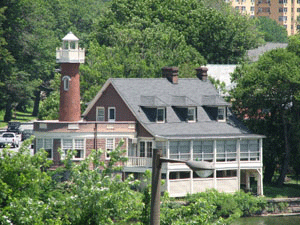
[269, 220]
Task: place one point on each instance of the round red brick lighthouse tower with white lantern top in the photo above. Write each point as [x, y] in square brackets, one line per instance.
[70, 56]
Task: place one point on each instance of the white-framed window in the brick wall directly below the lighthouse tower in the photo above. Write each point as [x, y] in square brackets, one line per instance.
[73, 144]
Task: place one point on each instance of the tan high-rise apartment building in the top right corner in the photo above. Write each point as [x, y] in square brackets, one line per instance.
[284, 12]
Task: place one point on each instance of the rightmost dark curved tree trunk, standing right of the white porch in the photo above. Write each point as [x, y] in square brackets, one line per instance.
[284, 168]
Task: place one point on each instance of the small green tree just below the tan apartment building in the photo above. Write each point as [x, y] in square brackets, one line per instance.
[272, 31]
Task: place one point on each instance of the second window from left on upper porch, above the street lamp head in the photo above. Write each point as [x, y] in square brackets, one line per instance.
[203, 151]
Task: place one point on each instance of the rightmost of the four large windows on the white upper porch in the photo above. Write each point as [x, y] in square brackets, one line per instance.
[249, 150]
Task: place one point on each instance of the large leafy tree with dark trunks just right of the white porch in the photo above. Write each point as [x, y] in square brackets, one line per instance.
[267, 92]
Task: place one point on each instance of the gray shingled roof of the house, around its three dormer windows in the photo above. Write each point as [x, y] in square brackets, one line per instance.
[138, 93]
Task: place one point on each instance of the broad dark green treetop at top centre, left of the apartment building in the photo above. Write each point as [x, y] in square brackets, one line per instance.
[214, 29]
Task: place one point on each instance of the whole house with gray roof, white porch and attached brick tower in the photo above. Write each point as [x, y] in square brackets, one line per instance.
[186, 118]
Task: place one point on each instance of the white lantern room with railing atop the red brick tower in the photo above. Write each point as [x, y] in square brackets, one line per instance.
[70, 51]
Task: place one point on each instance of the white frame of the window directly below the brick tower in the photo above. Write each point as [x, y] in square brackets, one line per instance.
[73, 146]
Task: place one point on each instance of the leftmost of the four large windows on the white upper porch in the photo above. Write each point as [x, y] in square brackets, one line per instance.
[180, 150]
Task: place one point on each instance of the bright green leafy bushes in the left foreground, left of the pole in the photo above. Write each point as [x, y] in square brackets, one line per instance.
[93, 192]
